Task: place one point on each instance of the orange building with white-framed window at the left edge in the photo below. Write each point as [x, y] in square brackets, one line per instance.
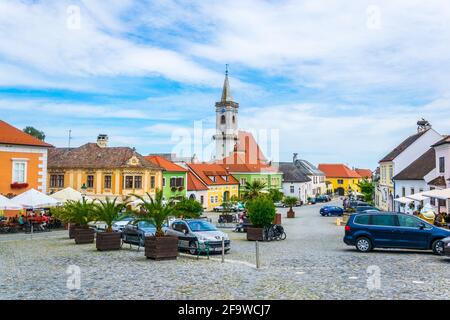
[23, 161]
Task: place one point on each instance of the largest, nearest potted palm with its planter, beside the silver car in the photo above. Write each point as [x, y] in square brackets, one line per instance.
[156, 212]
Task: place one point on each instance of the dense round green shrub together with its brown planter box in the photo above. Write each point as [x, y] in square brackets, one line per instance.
[261, 212]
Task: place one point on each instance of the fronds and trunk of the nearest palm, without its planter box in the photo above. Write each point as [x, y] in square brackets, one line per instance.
[155, 211]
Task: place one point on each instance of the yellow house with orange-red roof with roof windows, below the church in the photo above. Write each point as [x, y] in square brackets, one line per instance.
[222, 186]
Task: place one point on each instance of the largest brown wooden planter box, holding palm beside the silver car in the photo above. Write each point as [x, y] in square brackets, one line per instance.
[161, 248]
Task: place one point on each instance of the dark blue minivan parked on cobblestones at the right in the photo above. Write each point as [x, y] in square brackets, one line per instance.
[392, 230]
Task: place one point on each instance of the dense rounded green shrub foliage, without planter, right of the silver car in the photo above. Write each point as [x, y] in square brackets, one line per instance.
[261, 212]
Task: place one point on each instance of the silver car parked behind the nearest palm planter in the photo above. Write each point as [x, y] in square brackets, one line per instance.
[195, 234]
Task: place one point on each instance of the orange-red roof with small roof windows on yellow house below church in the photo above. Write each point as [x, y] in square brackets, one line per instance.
[206, 171]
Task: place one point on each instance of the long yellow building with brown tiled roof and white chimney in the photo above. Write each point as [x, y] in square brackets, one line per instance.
[102, 171]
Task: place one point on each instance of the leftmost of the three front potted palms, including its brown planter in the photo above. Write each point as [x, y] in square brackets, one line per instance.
[80, 213]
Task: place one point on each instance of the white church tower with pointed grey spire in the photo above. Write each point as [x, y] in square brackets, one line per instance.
[226, 122]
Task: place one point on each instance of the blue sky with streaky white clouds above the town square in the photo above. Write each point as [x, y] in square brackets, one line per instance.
[336, 81]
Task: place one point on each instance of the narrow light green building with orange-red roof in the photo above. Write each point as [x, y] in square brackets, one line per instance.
[174, 184]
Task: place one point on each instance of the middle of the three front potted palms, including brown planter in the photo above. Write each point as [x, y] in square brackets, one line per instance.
[108, 211]
